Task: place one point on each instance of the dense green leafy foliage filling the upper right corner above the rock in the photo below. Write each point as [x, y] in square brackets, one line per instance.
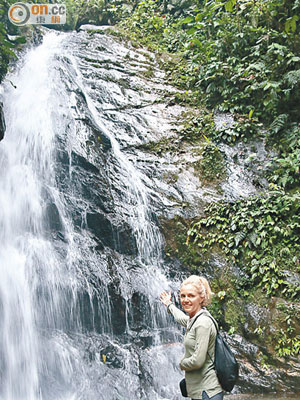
[241, 55]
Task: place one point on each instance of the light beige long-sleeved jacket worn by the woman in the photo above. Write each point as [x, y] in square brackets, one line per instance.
[199, 340]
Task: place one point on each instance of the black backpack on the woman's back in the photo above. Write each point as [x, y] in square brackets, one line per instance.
[226, 366]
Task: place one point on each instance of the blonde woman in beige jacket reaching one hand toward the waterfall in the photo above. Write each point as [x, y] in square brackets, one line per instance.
[199, 339]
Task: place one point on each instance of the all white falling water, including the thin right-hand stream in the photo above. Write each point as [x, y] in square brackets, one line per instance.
[42, 278]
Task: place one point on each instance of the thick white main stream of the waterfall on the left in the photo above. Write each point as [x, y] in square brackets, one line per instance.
[33, 276]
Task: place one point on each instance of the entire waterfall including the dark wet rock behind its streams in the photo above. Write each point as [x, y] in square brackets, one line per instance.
[81, 252]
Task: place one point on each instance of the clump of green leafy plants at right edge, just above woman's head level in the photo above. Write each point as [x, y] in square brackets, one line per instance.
[260, 235]
